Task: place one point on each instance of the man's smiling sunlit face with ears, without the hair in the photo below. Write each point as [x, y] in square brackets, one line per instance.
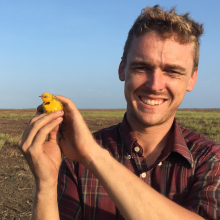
[157, 75]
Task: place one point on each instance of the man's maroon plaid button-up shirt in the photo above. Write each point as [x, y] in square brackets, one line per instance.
[187, 172]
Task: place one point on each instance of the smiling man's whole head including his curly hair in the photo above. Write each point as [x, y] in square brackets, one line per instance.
[159, 64]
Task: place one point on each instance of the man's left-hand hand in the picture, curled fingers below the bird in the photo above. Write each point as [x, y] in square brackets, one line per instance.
[43, 157]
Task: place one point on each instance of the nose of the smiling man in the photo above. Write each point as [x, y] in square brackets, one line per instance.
[155, 81]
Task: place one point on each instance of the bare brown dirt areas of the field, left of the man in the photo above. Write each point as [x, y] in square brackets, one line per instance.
[16, 180]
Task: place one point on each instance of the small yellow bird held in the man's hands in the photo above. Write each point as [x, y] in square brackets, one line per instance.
[50, 103]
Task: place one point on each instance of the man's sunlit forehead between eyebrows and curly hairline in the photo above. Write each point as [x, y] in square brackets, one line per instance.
[151, 47]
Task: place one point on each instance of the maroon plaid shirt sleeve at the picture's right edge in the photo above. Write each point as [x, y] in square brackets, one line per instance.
[204, 197]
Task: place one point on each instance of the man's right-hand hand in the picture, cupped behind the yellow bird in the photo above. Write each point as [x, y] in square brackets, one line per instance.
[77, 142]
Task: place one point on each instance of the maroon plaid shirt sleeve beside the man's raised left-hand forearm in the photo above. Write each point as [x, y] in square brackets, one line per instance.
[68, 195]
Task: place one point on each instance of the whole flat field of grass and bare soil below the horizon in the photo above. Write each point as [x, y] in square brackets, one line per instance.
[16, 181]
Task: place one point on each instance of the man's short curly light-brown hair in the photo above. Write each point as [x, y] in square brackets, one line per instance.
[166, 24]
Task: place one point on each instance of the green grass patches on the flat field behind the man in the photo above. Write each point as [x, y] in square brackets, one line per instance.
[204, 122]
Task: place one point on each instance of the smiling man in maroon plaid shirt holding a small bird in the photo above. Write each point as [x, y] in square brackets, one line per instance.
[146, 167]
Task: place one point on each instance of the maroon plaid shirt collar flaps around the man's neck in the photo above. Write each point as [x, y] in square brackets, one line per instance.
[176, 142]
